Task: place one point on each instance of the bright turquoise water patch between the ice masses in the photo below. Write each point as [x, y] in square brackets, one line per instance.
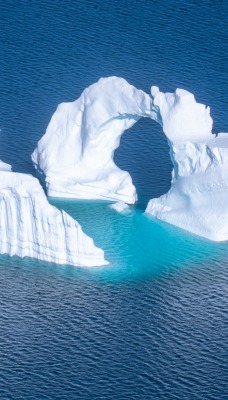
[137, 246]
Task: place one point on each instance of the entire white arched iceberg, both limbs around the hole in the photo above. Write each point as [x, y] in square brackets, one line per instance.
[75, 155]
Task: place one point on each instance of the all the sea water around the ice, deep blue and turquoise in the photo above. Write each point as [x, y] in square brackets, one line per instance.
[152, 324]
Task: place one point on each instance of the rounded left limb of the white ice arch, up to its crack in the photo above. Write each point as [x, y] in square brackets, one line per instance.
[76, 153]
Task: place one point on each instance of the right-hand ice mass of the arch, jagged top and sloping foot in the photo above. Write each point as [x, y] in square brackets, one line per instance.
[198, 198]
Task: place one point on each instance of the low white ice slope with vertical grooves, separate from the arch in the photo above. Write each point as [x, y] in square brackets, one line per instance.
[30, 226]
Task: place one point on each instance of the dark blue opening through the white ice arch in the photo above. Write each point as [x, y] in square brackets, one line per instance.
[144, 153]
